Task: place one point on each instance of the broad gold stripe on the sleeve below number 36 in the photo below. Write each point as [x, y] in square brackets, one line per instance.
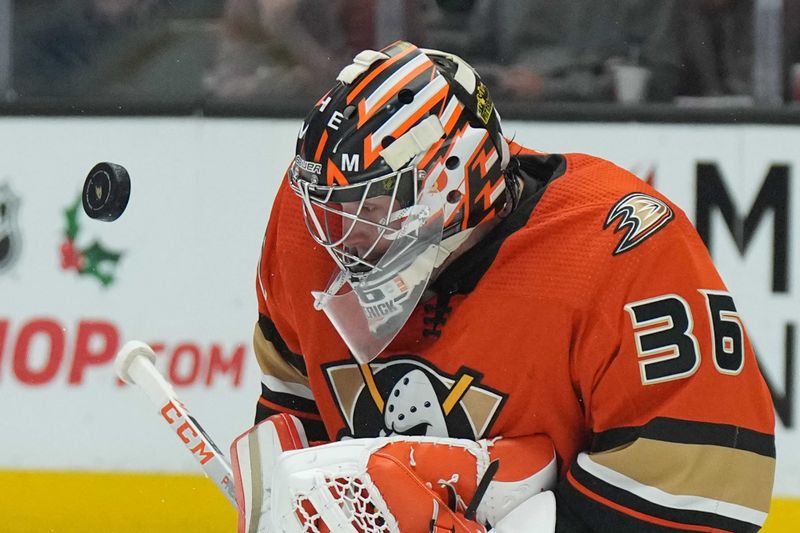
[716, 472]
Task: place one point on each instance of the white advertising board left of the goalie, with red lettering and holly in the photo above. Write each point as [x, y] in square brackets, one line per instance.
[189, 243]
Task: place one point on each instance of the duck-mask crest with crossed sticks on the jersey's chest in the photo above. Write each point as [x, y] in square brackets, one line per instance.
[407, 396]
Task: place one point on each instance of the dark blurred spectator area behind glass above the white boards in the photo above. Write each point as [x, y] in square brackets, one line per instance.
[278, 56]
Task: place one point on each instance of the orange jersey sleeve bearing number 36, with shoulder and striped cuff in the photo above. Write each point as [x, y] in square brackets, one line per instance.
[682, 421]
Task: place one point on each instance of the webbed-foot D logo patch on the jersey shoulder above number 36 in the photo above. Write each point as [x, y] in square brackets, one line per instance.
[639, 215]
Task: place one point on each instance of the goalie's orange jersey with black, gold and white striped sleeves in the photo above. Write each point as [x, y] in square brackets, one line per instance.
[593, 313]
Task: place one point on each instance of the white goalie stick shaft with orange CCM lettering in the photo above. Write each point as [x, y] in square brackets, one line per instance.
[134, 365]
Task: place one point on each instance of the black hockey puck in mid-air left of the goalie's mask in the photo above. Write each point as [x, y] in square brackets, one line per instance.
[106, 191]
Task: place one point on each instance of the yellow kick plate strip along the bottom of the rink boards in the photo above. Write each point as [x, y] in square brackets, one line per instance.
[164, 503]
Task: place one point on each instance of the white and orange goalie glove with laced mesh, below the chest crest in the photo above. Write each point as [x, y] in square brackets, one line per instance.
[391, 484]
